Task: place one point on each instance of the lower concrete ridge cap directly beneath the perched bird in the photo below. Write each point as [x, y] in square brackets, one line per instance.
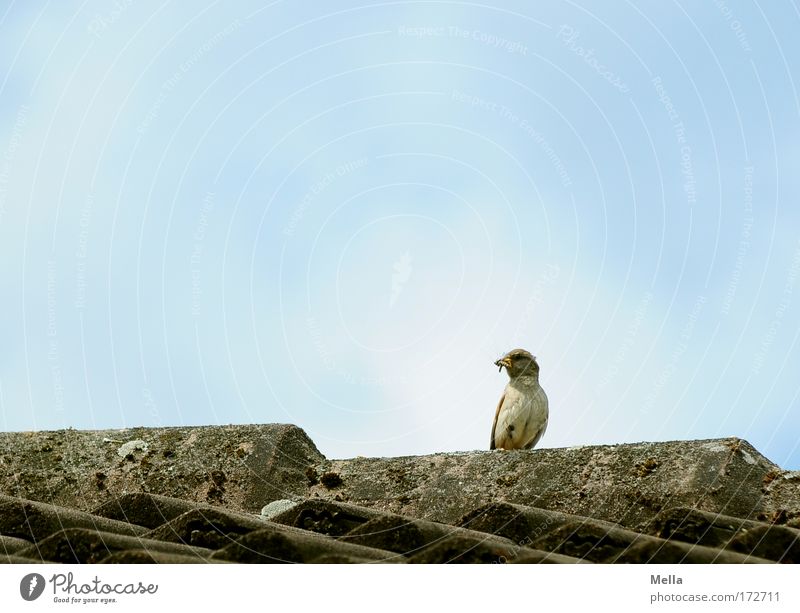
[628, 484]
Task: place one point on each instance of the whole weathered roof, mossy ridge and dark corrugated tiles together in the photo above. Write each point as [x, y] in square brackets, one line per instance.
[264, 493]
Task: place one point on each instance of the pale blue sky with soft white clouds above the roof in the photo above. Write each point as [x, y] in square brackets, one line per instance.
[339, 215]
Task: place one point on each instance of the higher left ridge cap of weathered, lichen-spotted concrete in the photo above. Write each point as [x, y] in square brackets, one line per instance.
[240, 467]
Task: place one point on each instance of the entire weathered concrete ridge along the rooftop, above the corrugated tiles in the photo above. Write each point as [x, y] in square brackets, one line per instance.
[242, 468]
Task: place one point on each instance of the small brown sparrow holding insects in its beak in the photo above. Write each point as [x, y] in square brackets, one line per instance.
[522, 413]
